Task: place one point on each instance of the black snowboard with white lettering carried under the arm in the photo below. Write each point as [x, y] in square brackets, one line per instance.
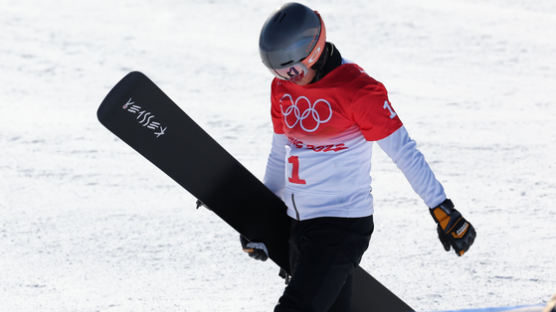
[140, 114]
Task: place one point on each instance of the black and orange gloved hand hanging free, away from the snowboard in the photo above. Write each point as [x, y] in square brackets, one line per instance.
[453, 230]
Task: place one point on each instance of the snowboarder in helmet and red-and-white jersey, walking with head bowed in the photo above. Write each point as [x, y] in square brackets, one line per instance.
[326, 112]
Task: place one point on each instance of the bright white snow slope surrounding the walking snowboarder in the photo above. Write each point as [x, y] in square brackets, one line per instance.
[87, 224]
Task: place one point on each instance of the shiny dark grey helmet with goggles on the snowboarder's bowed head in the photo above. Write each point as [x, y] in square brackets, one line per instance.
[290, 35]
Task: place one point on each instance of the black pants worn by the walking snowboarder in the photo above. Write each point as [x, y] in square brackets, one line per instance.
[323, 255]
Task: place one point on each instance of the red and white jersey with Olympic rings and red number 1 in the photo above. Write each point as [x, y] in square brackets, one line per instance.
[321, 157]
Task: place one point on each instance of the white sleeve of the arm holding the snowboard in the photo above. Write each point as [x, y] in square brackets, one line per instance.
[274, 177]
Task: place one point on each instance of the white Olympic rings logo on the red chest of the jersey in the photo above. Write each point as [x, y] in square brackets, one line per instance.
[310, 111]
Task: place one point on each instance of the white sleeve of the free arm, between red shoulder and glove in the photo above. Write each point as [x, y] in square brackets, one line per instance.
[403, 151]
